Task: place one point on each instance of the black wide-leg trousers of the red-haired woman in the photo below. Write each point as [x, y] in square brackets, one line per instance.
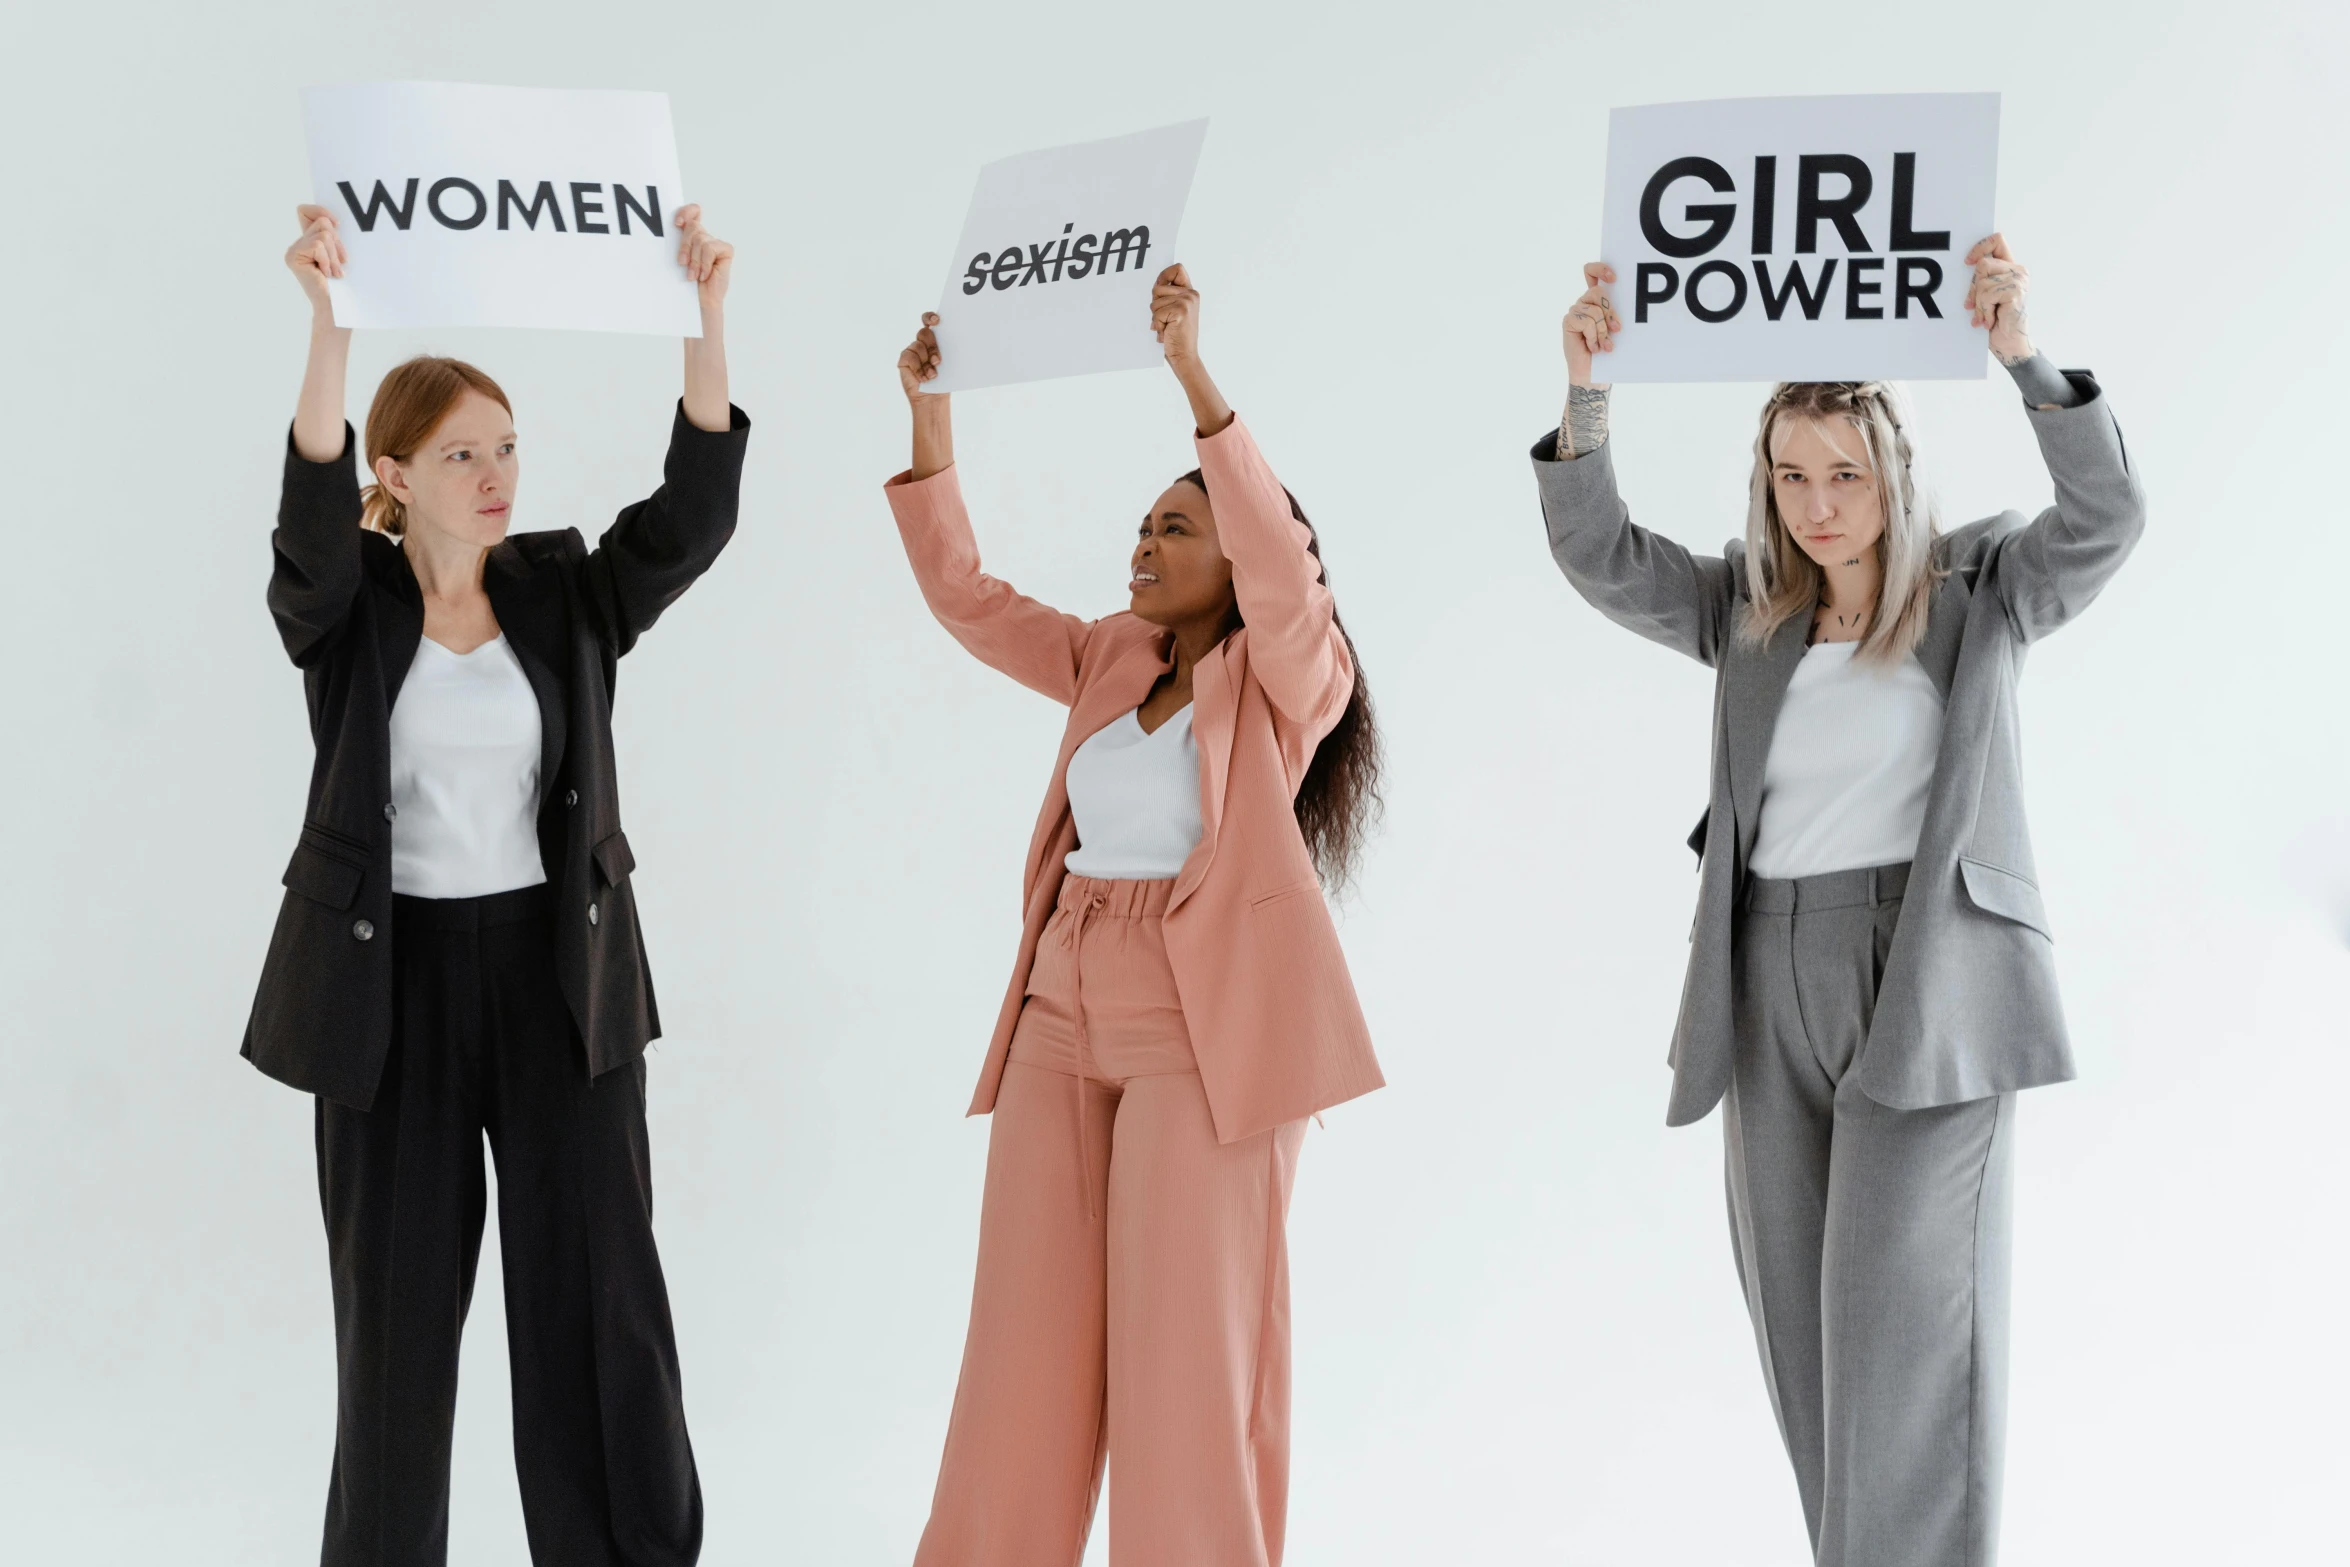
[483, 1044]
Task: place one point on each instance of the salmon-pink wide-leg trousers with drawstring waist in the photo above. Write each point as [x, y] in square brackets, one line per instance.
[1134, 1291]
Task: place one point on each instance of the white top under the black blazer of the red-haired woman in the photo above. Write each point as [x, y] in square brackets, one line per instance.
[466, 774]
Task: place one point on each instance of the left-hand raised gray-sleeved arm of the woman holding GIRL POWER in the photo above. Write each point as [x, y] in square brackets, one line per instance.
[1639, 579]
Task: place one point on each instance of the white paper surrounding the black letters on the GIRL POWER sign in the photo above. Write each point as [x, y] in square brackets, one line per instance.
[1956, 142]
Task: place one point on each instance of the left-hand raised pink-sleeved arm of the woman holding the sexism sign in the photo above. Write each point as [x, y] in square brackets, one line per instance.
[1007, 631]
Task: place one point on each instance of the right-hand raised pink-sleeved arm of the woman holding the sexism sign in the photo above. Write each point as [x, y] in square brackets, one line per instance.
[1294, 643]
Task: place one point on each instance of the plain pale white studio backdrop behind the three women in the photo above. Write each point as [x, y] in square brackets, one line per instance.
[1519, 1338]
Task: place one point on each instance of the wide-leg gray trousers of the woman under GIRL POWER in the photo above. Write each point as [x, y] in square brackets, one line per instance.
[1872, 1244]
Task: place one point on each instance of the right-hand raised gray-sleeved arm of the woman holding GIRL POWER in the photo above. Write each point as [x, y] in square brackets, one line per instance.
[2055, 565]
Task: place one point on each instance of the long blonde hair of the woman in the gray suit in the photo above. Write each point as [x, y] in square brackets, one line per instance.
[1782, 581]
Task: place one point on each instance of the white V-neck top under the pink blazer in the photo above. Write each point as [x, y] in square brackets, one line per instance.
[1136, 800]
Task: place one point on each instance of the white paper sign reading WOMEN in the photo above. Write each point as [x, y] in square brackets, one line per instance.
[502, 208]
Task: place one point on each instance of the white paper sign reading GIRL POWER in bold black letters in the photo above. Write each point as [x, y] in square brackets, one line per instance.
[1799, 238]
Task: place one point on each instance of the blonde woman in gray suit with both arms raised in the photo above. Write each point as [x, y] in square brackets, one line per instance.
[1872, 974]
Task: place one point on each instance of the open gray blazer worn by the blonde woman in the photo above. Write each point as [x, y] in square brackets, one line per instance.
[1968, 1002]
